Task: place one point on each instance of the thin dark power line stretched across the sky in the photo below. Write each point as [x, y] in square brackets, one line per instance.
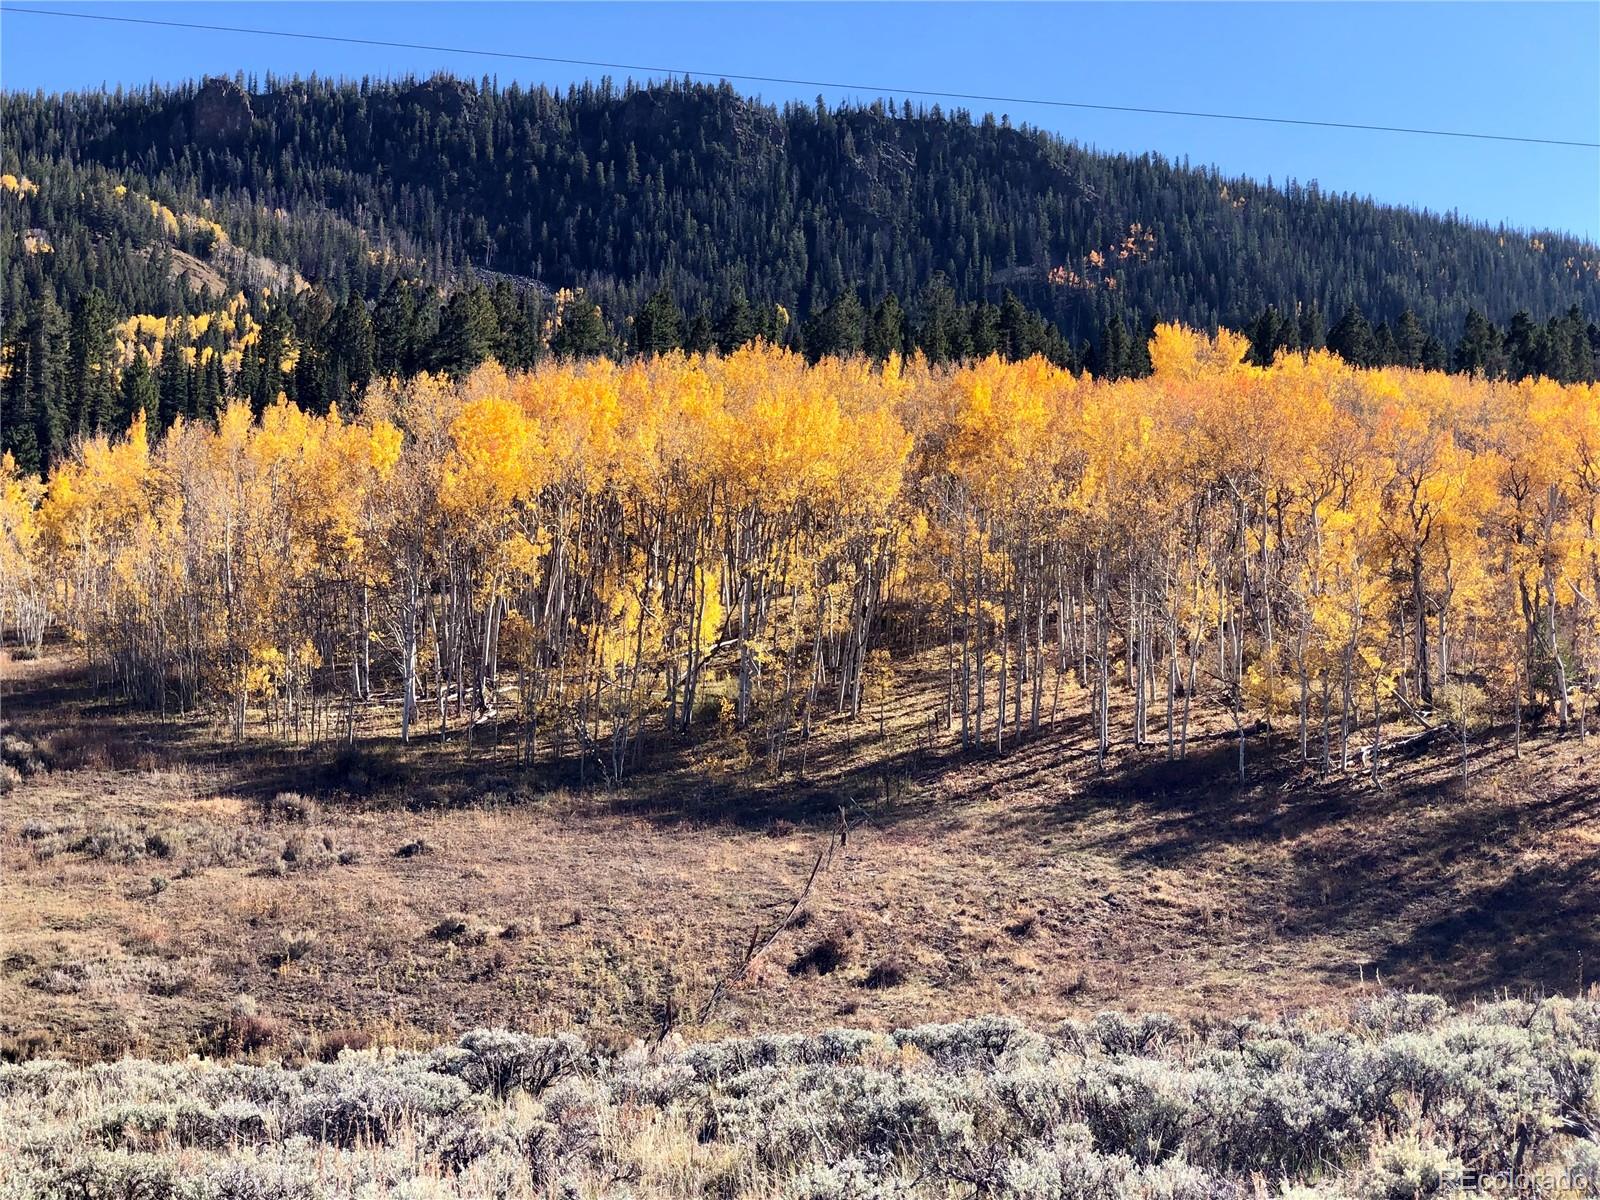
[809, 82]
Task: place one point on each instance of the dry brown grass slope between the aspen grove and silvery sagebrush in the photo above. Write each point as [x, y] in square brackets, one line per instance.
[170, 892]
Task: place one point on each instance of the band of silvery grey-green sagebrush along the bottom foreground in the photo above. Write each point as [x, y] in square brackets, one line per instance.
[1402, 1100]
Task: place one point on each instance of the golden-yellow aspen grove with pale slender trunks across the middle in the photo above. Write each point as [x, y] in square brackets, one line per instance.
[598, 556]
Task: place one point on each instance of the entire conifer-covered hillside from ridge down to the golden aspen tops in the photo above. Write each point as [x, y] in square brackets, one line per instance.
[172, 249]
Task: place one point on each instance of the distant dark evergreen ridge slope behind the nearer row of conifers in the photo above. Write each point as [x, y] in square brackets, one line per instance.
[694, 186]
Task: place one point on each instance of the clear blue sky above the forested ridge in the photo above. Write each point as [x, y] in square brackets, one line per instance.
[1492, 68]
